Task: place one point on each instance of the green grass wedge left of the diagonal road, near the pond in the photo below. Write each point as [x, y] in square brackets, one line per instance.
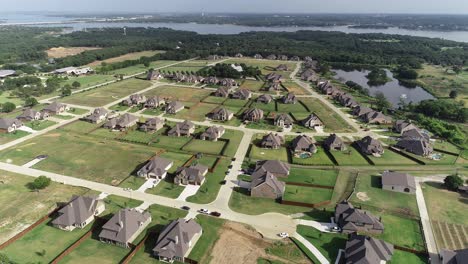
[331, 120]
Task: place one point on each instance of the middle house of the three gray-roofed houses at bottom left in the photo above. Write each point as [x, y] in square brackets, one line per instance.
[124, 227]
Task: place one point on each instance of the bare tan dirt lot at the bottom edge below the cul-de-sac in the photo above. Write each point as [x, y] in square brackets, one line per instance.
[239, 244]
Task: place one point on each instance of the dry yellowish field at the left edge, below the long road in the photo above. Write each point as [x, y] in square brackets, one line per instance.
[27, 206]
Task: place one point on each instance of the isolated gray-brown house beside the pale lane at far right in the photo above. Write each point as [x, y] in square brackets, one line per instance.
[398, 182]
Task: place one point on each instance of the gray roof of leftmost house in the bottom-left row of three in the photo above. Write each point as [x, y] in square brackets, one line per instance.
[77, 211]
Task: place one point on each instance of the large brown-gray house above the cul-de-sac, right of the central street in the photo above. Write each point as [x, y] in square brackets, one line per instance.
[266, 185]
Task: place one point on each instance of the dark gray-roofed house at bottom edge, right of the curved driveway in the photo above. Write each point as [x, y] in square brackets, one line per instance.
[365, 249]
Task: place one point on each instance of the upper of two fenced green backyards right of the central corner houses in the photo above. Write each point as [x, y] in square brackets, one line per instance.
[312, 176]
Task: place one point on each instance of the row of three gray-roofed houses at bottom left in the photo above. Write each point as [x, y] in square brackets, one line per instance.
[173, 243]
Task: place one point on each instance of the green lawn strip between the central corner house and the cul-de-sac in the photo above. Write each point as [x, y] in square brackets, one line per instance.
[242, 202]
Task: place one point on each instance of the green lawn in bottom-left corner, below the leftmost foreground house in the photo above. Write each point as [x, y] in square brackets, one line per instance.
[41, 244]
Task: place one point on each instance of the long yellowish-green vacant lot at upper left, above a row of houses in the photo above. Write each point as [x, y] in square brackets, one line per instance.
[107, 94]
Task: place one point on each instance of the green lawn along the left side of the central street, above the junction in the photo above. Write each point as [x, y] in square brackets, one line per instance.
[210, 188]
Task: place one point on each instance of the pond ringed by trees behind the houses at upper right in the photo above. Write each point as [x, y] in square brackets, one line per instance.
[392, 90]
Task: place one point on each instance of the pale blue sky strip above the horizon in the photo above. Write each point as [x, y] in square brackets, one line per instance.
[256, 6]
